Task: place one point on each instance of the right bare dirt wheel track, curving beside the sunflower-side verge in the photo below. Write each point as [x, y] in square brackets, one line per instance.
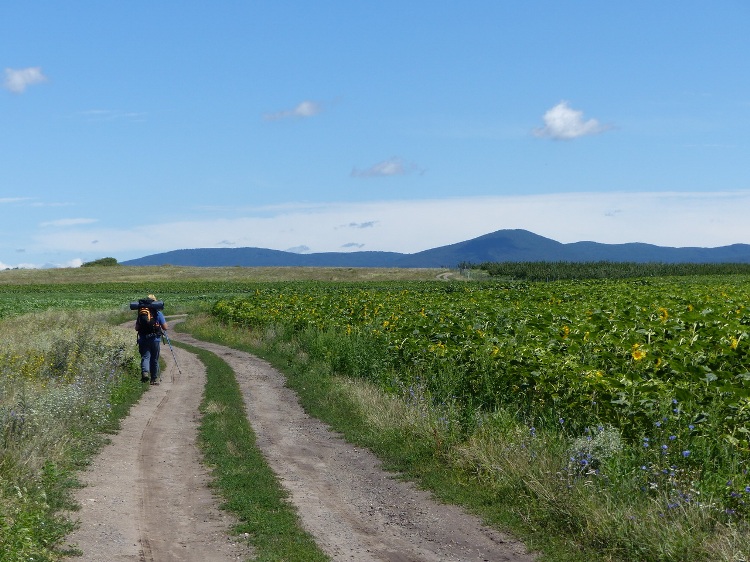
[354, 509]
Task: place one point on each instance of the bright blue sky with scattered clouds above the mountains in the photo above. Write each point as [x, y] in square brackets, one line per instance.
[133, 128]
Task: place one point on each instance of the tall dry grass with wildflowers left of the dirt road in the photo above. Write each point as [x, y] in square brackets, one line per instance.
[64, 379]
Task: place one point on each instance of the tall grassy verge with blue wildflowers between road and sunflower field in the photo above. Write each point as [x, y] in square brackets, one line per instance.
[576, 495]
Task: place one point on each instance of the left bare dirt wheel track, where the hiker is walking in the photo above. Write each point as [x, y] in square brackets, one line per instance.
[146, 497]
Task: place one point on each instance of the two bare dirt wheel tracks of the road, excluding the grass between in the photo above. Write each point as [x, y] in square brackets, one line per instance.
[146, 497]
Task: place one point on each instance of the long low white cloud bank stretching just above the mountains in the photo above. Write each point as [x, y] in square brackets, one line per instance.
[715, 219]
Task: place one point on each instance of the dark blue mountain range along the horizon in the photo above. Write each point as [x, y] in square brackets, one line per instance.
[500, 246]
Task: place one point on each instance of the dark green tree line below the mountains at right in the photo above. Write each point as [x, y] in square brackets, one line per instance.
[551, 271]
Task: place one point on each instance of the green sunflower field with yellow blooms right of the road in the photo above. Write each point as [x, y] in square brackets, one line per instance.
[619, 352]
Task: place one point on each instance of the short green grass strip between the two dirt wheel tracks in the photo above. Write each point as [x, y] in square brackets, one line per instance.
[241, 474]
